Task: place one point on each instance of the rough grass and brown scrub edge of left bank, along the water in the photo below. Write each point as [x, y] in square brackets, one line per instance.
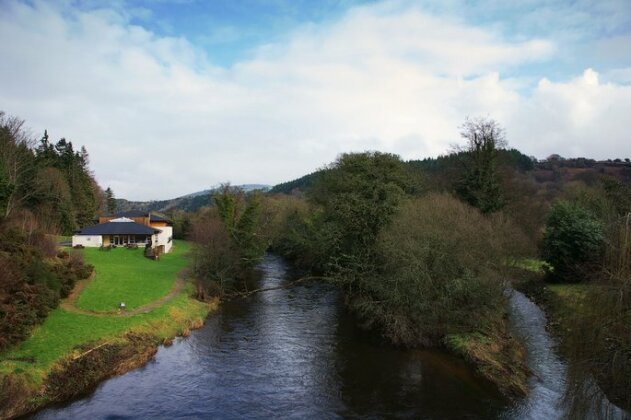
[26, 386]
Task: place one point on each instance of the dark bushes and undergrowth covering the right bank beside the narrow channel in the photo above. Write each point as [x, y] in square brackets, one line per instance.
[587, 245]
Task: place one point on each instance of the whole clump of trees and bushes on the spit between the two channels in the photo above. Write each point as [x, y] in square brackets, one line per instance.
[423, 268]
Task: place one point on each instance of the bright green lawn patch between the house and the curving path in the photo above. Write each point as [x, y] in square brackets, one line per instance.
[125, 275]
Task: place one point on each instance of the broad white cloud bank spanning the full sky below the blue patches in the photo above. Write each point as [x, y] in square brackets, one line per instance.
[160, 121]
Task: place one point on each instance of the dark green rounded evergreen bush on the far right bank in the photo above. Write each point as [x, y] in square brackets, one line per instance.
[573, 242]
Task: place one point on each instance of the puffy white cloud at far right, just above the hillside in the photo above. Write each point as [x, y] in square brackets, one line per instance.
[581, 117]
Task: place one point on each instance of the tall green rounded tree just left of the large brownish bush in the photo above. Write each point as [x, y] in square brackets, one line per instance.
[359, 194]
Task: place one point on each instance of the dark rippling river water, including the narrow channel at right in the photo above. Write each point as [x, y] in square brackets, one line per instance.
[296, 353]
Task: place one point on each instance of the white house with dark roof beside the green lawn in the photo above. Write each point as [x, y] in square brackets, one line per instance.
[128, 228]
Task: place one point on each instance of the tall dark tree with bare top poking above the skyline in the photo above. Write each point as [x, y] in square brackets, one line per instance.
[480, 184]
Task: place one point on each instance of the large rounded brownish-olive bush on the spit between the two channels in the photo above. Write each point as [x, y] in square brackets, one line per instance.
[442, 264]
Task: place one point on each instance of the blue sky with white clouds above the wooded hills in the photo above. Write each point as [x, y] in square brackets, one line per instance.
[175, 96]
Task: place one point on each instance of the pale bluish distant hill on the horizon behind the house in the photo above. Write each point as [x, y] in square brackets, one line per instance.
[188, 202]
